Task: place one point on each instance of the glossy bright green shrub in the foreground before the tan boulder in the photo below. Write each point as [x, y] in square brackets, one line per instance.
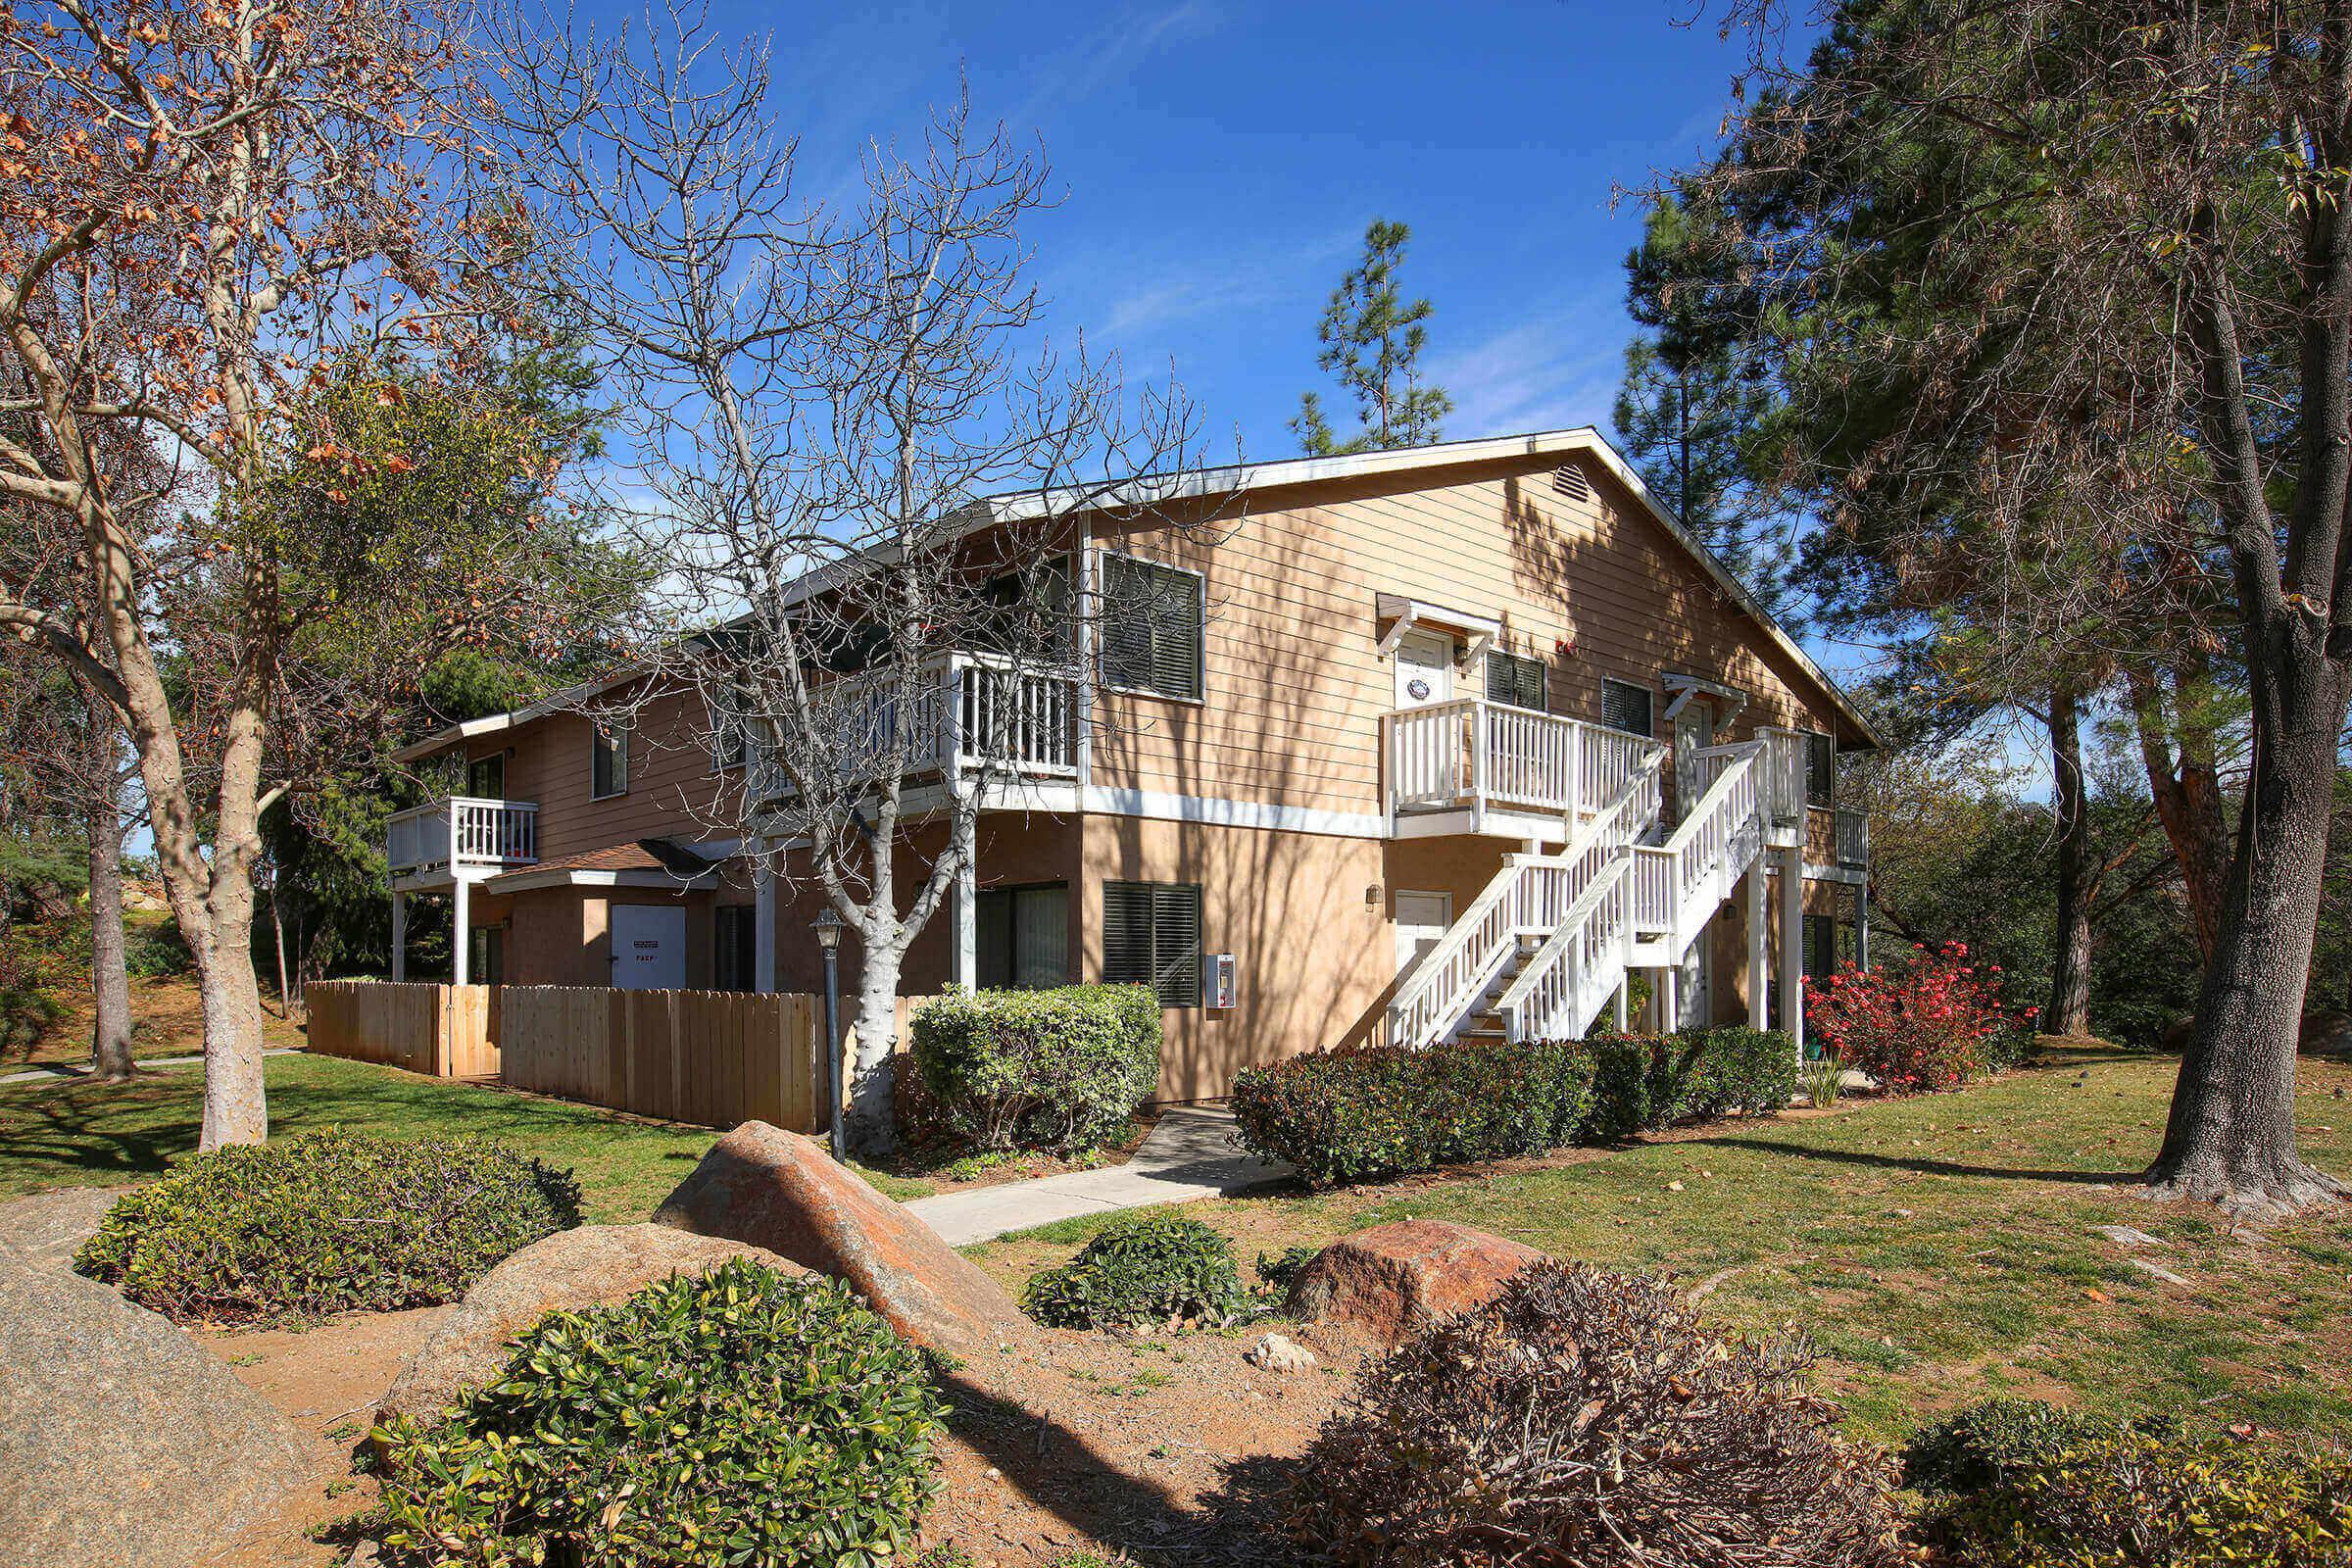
[730, 1419]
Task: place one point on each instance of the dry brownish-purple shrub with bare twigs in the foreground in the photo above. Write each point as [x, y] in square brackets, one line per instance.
[1589, 1421]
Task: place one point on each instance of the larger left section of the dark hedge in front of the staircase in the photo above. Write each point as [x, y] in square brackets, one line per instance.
[1384, 1111]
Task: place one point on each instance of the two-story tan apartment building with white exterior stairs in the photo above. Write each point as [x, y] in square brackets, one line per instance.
[1443, 739]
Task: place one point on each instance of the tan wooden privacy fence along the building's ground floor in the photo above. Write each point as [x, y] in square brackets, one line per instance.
[683, 1057]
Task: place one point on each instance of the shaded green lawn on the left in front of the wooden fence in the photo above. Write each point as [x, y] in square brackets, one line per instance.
[83, 1134]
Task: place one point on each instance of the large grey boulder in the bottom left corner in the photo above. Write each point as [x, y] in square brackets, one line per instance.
[123, 1442]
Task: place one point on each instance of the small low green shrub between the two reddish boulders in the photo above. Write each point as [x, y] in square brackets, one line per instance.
[1149, 1268]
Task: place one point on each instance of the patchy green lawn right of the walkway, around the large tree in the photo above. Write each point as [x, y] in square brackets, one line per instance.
[1937, 1249]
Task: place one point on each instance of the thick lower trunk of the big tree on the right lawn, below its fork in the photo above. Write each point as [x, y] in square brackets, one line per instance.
[2231, 1137]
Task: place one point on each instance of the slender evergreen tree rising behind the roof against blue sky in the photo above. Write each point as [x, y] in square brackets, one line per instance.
[1372, 344]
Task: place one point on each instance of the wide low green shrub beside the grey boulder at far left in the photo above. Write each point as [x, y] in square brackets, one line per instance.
[326, 1224]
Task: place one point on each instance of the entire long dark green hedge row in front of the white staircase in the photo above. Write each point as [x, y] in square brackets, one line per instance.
[1384, 1111]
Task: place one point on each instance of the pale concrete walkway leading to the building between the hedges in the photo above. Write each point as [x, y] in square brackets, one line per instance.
[1189, 1155]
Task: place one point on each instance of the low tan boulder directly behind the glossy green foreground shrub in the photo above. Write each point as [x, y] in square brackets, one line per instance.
[566, 1273]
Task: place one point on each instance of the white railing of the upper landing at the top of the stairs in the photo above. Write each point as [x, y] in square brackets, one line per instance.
[1474, 753]
